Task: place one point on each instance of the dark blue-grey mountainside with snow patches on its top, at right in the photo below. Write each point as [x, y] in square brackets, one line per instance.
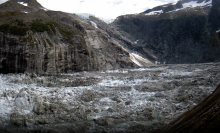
[185, 36]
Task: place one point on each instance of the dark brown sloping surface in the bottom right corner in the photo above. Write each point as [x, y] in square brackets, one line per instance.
[204, 118]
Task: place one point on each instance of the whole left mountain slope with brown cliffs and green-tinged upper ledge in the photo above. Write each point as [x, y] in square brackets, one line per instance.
[49, 42]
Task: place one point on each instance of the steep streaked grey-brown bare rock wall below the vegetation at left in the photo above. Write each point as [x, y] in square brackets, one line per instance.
[41, 54]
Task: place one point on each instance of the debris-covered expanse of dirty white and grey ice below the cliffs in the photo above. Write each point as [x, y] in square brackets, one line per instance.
[115, 100]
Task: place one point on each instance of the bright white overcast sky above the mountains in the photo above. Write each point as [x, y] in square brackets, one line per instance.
[108, 9]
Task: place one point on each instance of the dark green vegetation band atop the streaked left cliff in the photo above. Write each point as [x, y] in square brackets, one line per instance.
[68, 31]
